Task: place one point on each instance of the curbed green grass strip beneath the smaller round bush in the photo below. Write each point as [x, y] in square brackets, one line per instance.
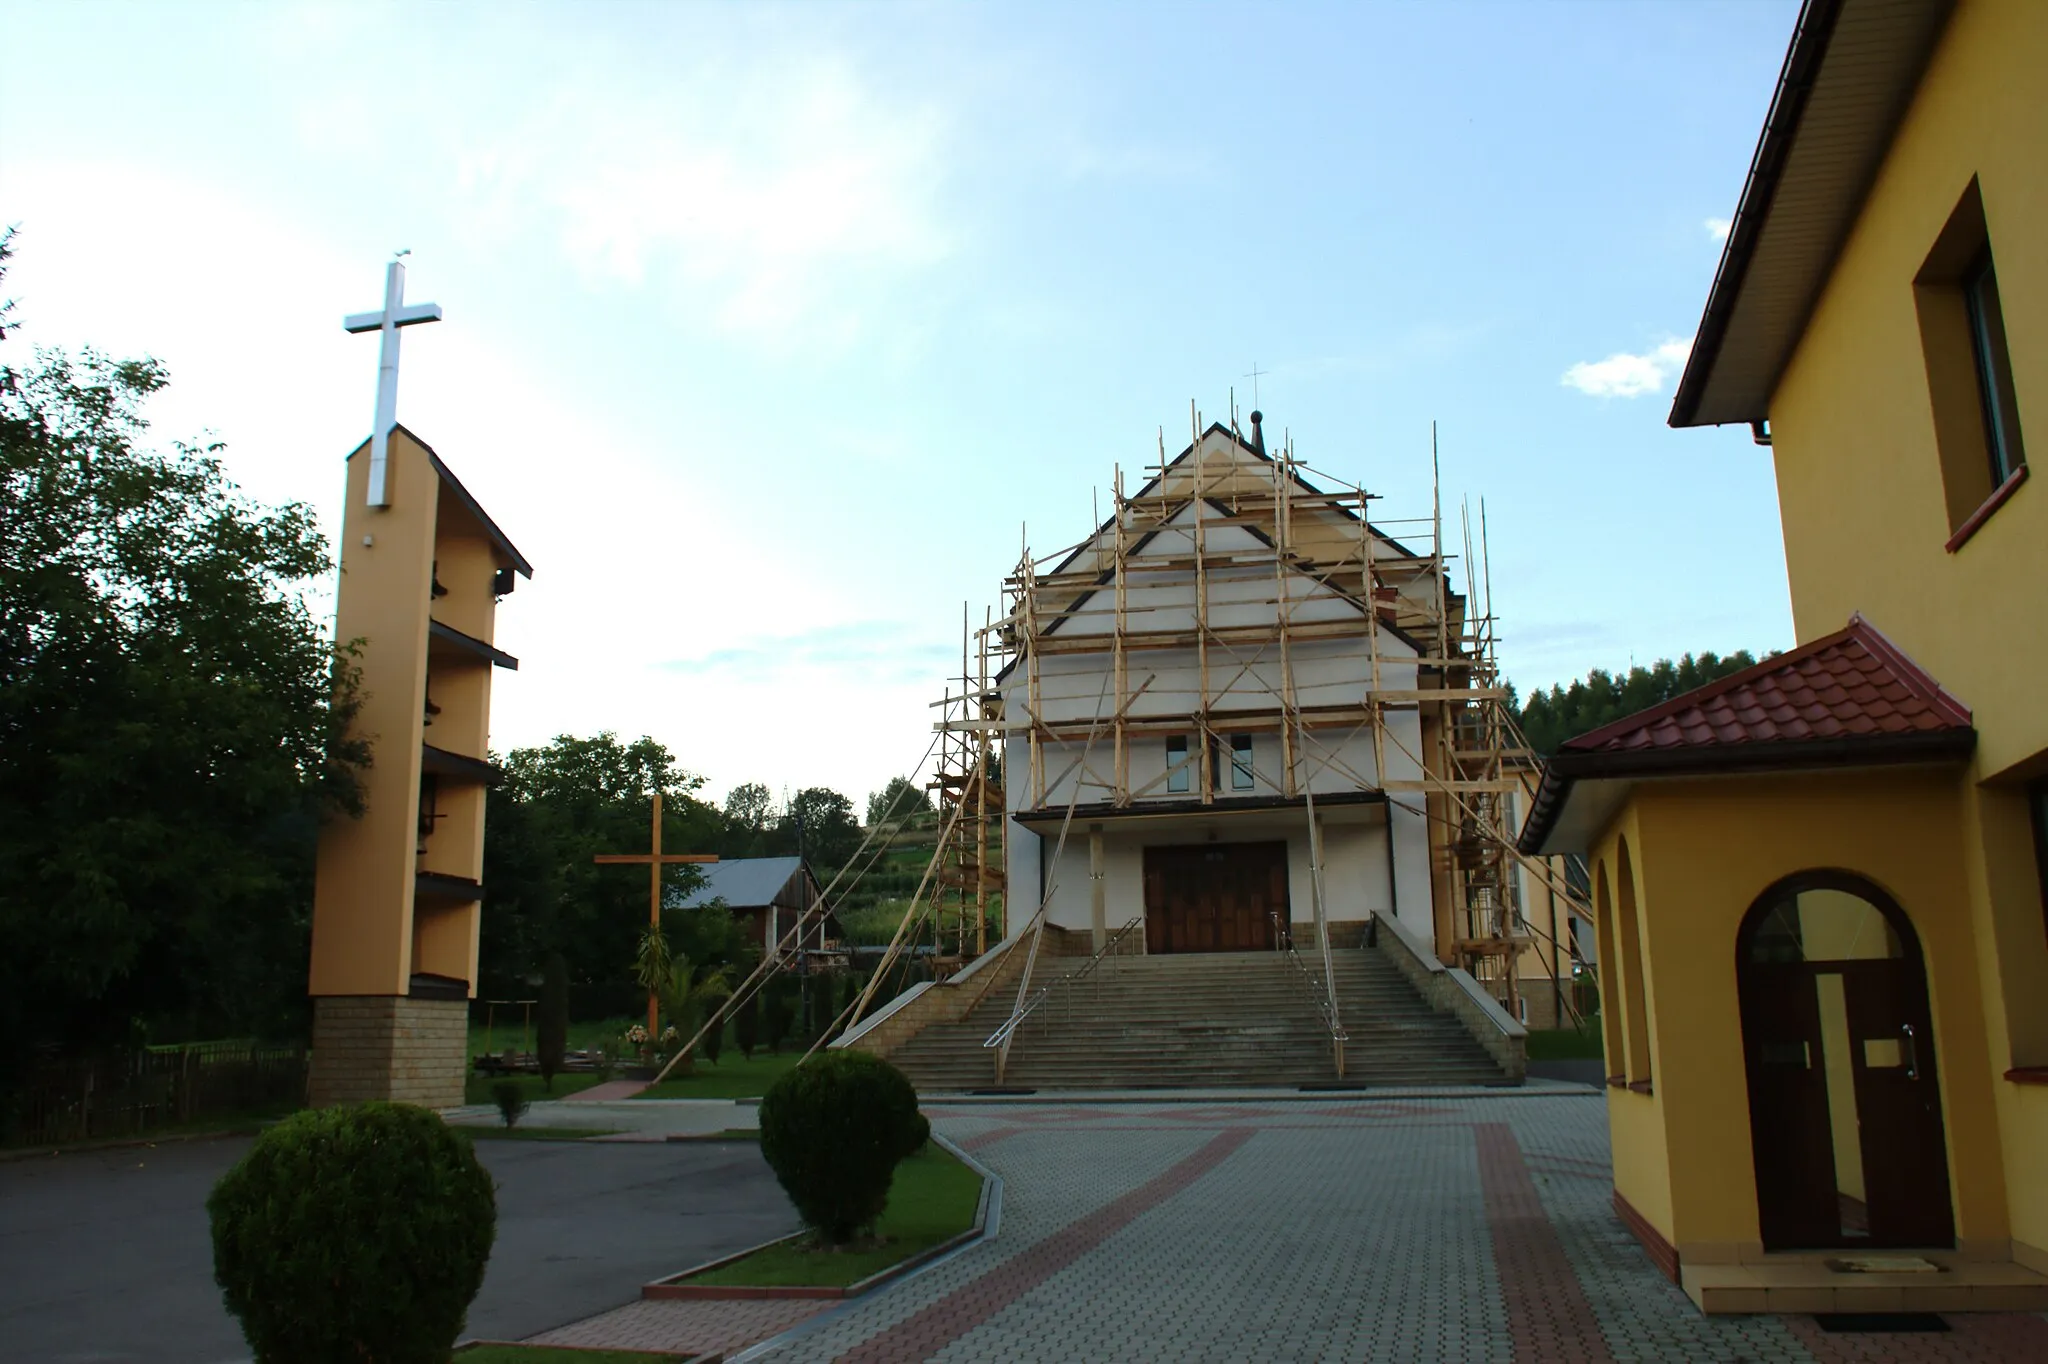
[933, 1199]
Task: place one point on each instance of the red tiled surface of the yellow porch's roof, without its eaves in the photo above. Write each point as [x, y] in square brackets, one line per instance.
[1844, 687]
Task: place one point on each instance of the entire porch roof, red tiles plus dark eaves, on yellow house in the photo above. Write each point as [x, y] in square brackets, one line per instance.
[1848, 699]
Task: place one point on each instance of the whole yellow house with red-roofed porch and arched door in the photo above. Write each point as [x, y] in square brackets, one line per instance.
[1820, 886]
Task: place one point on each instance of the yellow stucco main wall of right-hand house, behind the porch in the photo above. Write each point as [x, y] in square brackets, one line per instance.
[1867, 515]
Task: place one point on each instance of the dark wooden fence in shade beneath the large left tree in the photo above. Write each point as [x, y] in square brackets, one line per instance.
[138, 1093]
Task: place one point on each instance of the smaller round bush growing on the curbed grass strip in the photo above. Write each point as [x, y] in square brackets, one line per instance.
[835, 1132]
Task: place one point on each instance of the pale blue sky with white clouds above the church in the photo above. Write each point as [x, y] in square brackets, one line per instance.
[773, 331]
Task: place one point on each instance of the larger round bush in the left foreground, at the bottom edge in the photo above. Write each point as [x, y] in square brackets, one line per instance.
[353, 1236]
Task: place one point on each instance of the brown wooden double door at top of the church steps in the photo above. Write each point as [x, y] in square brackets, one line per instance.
[1213, 898]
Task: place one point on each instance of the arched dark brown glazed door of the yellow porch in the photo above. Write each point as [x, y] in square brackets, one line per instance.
[1844, 1103]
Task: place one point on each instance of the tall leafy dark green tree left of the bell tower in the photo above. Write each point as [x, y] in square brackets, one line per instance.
[173, 720]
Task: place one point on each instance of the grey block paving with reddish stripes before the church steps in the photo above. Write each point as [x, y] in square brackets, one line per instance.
[1422, 1228]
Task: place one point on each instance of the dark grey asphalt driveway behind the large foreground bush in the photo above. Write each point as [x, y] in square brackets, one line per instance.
[105, 1256]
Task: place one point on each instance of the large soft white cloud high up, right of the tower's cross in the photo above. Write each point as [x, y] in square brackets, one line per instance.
[779, 204]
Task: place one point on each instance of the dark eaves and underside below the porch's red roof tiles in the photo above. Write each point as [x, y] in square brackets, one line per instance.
[1582, 794]
